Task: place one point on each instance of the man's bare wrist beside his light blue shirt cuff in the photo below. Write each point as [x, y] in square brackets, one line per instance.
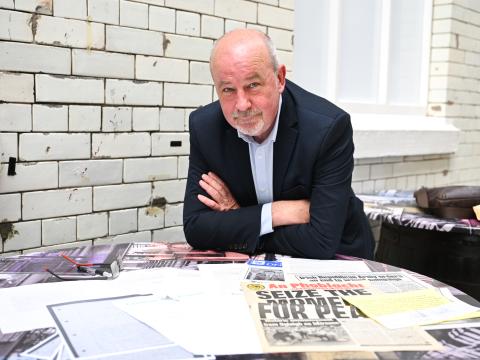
[290, 212]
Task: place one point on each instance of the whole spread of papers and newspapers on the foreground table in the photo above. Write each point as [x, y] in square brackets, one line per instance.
[276, 306]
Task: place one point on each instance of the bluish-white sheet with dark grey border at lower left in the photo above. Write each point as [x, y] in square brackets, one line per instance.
[116, 333]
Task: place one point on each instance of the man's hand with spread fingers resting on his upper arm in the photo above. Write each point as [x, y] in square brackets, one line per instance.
[221, 197]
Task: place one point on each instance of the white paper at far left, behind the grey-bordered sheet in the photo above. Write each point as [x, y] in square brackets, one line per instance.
[19, 311]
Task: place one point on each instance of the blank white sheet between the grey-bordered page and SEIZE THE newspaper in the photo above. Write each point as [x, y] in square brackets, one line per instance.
[202, 324]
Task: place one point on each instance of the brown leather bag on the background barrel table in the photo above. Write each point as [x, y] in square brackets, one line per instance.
[449, 201]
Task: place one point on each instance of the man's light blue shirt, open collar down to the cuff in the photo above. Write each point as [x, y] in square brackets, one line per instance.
[261, 162]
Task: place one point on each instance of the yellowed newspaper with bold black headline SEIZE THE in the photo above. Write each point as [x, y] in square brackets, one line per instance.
[292, 317]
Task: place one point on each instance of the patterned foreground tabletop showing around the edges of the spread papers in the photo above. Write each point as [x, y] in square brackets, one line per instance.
[178, 255]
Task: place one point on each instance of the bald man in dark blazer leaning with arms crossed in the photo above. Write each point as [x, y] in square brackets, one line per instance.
[270, 164]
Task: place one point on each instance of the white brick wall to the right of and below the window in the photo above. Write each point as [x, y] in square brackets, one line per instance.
[455, 94]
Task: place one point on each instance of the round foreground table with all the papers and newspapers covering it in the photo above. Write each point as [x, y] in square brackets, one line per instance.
[168, 301]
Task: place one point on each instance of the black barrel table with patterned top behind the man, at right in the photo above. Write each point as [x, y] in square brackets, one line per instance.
[445, 249]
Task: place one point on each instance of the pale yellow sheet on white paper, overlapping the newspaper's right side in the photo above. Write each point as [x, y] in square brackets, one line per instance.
[411, 308]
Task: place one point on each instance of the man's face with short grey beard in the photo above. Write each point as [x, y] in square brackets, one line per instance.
[248, 88]
